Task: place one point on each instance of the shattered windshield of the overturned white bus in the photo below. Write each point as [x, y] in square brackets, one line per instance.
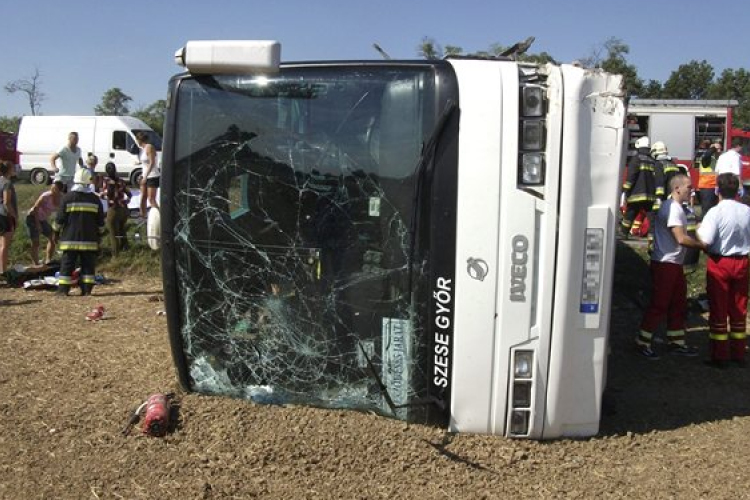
[294, 201]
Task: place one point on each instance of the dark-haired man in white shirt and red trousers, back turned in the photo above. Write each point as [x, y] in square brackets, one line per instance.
[726, 232]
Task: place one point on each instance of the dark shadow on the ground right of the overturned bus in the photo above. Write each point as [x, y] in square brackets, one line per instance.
[644, 395]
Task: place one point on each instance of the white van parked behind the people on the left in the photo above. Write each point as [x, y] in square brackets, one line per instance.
[110, 138]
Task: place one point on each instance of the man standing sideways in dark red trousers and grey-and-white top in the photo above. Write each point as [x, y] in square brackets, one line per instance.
[669, 292]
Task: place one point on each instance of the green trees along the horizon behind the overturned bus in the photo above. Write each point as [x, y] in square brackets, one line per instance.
[692, 80]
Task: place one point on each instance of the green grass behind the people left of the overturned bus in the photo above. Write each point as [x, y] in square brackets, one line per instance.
[139, 259]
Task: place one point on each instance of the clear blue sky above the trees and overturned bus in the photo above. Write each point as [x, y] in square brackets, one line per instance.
[84, 48]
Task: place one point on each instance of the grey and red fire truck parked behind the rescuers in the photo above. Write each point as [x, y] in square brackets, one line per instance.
[683, 125]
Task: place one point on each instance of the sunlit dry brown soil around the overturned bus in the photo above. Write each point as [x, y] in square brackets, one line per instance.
[674, 428]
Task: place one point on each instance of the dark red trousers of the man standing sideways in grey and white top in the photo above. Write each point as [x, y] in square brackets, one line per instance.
[669, 297]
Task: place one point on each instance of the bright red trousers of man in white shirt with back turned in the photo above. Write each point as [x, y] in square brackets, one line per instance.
[726, 284]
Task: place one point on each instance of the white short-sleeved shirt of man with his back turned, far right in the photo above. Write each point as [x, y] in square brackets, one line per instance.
[726, 229]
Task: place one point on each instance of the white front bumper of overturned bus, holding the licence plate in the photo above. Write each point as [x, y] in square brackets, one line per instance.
[592, 154]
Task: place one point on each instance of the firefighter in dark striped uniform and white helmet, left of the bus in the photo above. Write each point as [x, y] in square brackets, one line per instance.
[80, 218]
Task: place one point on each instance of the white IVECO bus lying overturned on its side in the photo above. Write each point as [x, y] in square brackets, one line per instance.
[429, 240]
